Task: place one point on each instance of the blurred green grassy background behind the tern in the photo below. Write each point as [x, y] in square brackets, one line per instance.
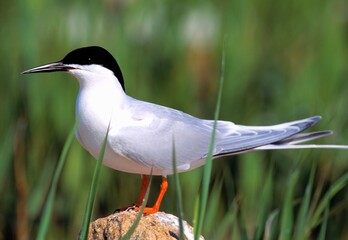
[285, 60]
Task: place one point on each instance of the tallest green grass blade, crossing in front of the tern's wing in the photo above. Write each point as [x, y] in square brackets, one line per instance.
[208, 162]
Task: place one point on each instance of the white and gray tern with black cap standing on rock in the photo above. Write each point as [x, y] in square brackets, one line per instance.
[143, 136]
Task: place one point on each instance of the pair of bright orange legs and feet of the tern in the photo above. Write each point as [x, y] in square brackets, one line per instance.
[156, 206]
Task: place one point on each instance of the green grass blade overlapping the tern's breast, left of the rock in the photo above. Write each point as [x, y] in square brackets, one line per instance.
[93, 189]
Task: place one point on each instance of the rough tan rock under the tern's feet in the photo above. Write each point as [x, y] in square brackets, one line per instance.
[155, 226]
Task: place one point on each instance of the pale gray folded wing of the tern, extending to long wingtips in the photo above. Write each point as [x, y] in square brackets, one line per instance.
[153, 131]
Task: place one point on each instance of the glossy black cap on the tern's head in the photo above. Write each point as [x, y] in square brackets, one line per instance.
[94, 55]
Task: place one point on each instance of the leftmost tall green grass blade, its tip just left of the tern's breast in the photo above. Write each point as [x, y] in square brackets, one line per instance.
[46, 216]
